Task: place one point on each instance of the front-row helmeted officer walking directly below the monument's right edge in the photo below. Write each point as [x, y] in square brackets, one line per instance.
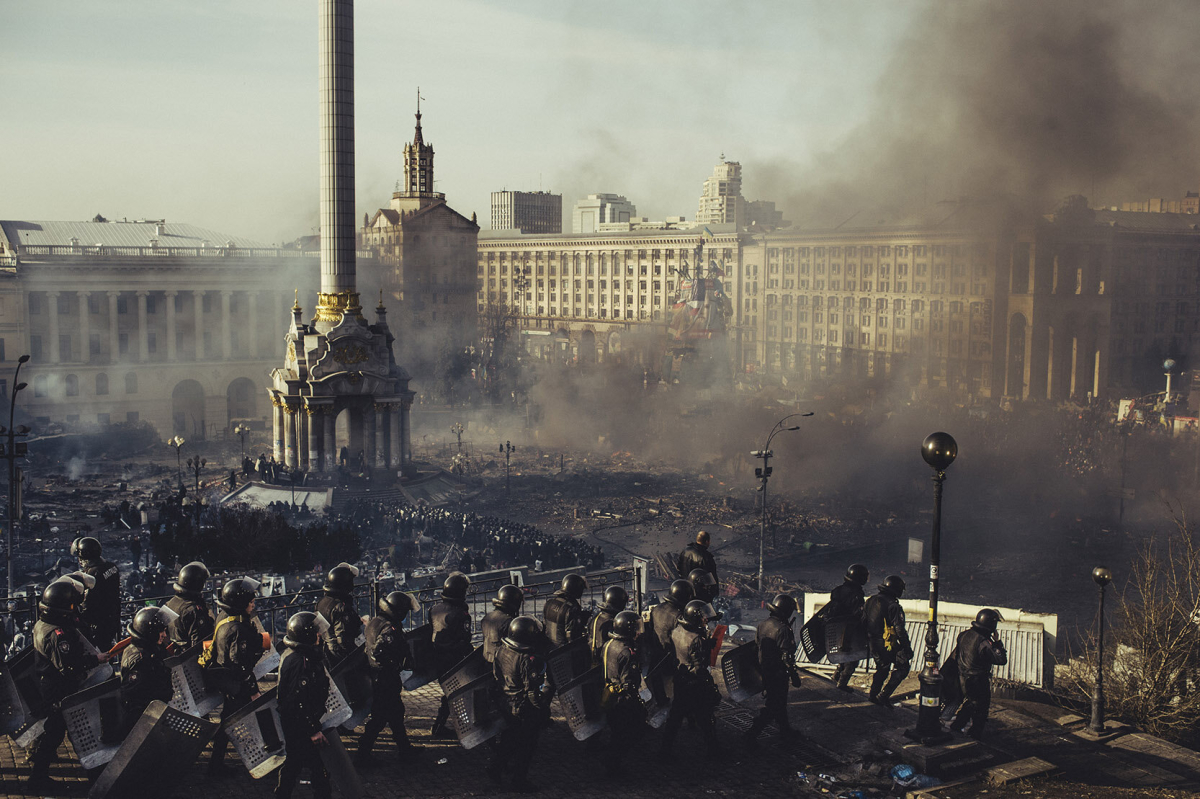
[388, 656]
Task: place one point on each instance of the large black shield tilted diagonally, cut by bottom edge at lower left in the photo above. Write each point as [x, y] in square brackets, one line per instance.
[163, 746]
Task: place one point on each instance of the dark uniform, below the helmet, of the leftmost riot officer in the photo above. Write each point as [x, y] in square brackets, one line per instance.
[62, 662]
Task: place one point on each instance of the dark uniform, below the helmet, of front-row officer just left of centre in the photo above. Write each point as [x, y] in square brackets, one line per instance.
[521, 677]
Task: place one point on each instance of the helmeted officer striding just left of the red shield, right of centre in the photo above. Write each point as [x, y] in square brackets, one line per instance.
[695, 693]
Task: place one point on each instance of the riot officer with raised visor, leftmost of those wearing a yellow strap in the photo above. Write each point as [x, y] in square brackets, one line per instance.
[237, 647]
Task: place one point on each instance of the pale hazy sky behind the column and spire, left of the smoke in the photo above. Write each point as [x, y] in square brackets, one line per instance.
[207, 112]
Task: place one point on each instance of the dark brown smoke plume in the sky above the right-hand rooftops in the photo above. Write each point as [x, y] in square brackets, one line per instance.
[1028, 99]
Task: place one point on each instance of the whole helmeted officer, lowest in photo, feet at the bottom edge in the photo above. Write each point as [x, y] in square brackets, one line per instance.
[304, 688]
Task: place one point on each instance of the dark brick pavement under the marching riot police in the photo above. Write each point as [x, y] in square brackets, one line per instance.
[844, 738]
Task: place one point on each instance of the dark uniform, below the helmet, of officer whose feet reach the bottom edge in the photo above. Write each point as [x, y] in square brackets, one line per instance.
[304, 688]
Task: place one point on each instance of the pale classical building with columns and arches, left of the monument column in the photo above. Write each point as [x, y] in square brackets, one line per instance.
[158, 322]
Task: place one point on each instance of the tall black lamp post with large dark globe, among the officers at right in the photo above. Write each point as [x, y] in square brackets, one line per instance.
[939, 450]
